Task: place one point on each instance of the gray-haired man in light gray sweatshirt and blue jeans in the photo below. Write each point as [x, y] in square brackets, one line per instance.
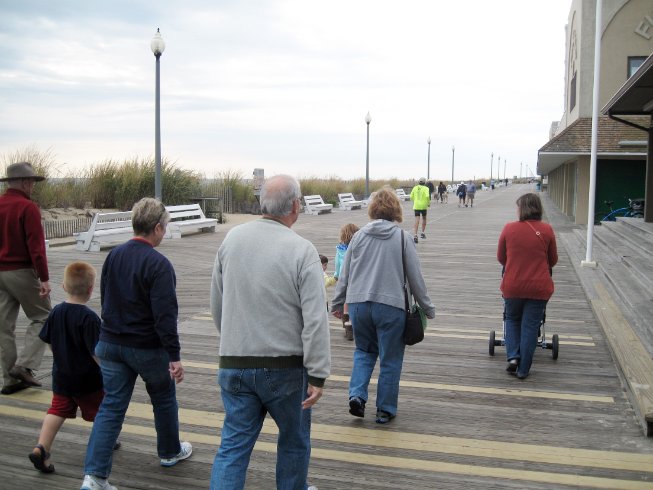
[267, 302]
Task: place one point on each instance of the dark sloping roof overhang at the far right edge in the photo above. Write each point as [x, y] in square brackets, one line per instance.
[636, 95]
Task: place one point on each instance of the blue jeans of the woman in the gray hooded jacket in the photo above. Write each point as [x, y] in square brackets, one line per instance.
[378, 333]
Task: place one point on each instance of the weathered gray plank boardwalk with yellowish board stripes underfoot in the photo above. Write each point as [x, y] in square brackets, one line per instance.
[463, 422]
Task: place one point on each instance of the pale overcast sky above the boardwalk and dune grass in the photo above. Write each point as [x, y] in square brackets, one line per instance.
[285, 84]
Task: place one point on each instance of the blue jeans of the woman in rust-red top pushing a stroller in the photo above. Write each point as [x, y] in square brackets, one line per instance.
[523, 319]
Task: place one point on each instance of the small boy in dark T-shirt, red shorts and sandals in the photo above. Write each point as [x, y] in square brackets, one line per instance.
[72, 330]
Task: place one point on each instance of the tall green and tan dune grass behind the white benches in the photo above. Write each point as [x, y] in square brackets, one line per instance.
[113, 184]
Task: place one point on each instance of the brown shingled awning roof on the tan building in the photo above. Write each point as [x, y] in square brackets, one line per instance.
[616, 140]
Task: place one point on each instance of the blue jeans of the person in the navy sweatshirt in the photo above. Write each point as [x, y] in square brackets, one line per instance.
[120, 366]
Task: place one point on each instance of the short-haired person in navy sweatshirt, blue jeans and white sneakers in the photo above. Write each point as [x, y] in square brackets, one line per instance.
[138, 337]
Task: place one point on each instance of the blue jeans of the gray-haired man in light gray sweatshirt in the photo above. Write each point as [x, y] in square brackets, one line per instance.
[248, 395]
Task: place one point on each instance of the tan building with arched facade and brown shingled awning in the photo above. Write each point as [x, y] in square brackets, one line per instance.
[626, 42]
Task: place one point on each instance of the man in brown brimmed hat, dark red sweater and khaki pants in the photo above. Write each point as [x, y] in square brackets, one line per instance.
[23, 278]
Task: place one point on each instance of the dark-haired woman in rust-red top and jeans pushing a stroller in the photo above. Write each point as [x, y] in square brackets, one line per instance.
[527, 250]
